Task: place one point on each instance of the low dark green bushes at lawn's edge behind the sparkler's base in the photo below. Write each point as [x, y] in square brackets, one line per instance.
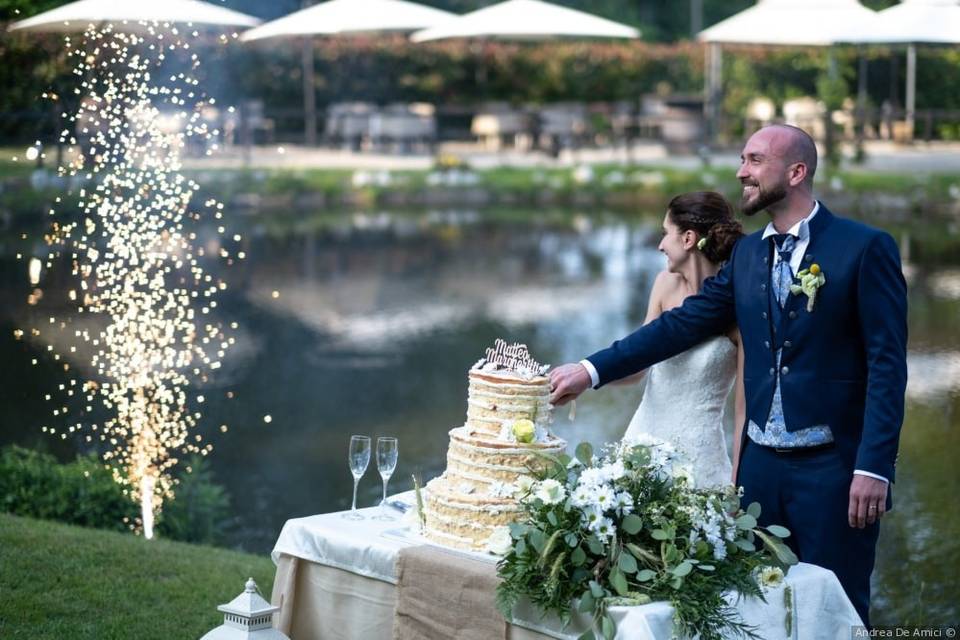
[84, 493]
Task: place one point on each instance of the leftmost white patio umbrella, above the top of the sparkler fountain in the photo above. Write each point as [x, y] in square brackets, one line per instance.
[77, 16]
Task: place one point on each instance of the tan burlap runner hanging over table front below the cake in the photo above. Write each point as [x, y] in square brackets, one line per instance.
[443, 594]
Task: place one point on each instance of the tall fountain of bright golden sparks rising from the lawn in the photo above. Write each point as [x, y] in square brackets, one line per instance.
[134, 257]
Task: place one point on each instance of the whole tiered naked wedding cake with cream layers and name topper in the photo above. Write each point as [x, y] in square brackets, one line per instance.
[508, 418]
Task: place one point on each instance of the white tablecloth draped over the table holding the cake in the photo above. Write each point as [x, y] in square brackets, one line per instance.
[337, 580]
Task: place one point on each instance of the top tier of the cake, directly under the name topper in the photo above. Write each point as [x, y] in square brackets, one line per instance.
[496, 397]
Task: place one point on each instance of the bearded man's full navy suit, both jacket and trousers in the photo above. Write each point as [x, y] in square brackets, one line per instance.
[843, 365]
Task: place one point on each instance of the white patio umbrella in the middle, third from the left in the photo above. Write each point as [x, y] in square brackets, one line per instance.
[526, 20]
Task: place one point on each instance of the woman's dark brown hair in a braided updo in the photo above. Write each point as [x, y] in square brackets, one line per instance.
[710, 216]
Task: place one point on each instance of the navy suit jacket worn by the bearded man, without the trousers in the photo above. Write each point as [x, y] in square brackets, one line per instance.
[843, 364]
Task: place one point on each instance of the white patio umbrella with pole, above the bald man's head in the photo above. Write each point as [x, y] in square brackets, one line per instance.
[817, 23]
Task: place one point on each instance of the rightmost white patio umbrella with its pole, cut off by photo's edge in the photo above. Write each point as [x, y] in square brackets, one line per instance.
[915, 22]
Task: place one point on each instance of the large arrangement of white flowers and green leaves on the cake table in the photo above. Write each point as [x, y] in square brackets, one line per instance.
[627, 527]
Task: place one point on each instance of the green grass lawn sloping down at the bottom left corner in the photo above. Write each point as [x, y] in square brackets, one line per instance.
[63, 582]
